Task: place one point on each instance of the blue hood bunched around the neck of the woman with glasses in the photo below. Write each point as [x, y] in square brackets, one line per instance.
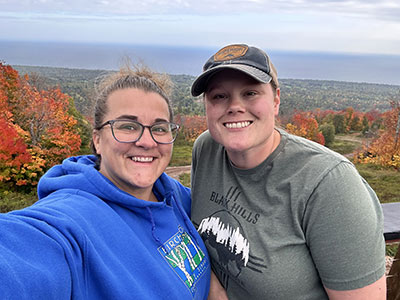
[79, 175]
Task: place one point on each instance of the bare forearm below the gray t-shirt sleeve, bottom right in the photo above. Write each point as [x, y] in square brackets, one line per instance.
[374, 291]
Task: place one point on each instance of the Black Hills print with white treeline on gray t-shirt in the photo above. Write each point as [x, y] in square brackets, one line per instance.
[226, 238]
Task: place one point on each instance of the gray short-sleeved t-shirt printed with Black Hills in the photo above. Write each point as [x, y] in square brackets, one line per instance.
[302, 219]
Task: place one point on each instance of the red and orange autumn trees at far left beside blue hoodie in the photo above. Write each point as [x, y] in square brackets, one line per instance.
[37, 131]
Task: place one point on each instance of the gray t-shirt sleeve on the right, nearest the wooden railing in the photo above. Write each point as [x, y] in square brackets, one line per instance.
[343, 224]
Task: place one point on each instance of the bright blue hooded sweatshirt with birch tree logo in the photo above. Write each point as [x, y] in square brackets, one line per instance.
[87, 239]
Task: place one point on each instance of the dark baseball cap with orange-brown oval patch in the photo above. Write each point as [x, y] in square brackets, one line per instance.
[247, 59]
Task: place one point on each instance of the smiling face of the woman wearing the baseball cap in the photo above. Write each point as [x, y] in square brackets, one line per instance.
[241, 115]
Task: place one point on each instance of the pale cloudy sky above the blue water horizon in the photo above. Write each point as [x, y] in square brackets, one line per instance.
[339, 26]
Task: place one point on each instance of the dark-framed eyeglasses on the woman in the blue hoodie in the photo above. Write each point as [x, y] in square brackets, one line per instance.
[128, 131]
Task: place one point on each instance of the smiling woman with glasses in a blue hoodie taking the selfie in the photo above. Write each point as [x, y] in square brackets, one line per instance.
[110, 225]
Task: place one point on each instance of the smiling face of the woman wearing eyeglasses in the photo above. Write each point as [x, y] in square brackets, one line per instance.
[133, 167]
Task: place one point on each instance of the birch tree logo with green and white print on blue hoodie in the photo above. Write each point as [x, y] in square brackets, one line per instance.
[185, 257]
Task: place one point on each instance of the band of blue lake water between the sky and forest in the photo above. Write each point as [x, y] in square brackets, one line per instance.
[189, 60]
